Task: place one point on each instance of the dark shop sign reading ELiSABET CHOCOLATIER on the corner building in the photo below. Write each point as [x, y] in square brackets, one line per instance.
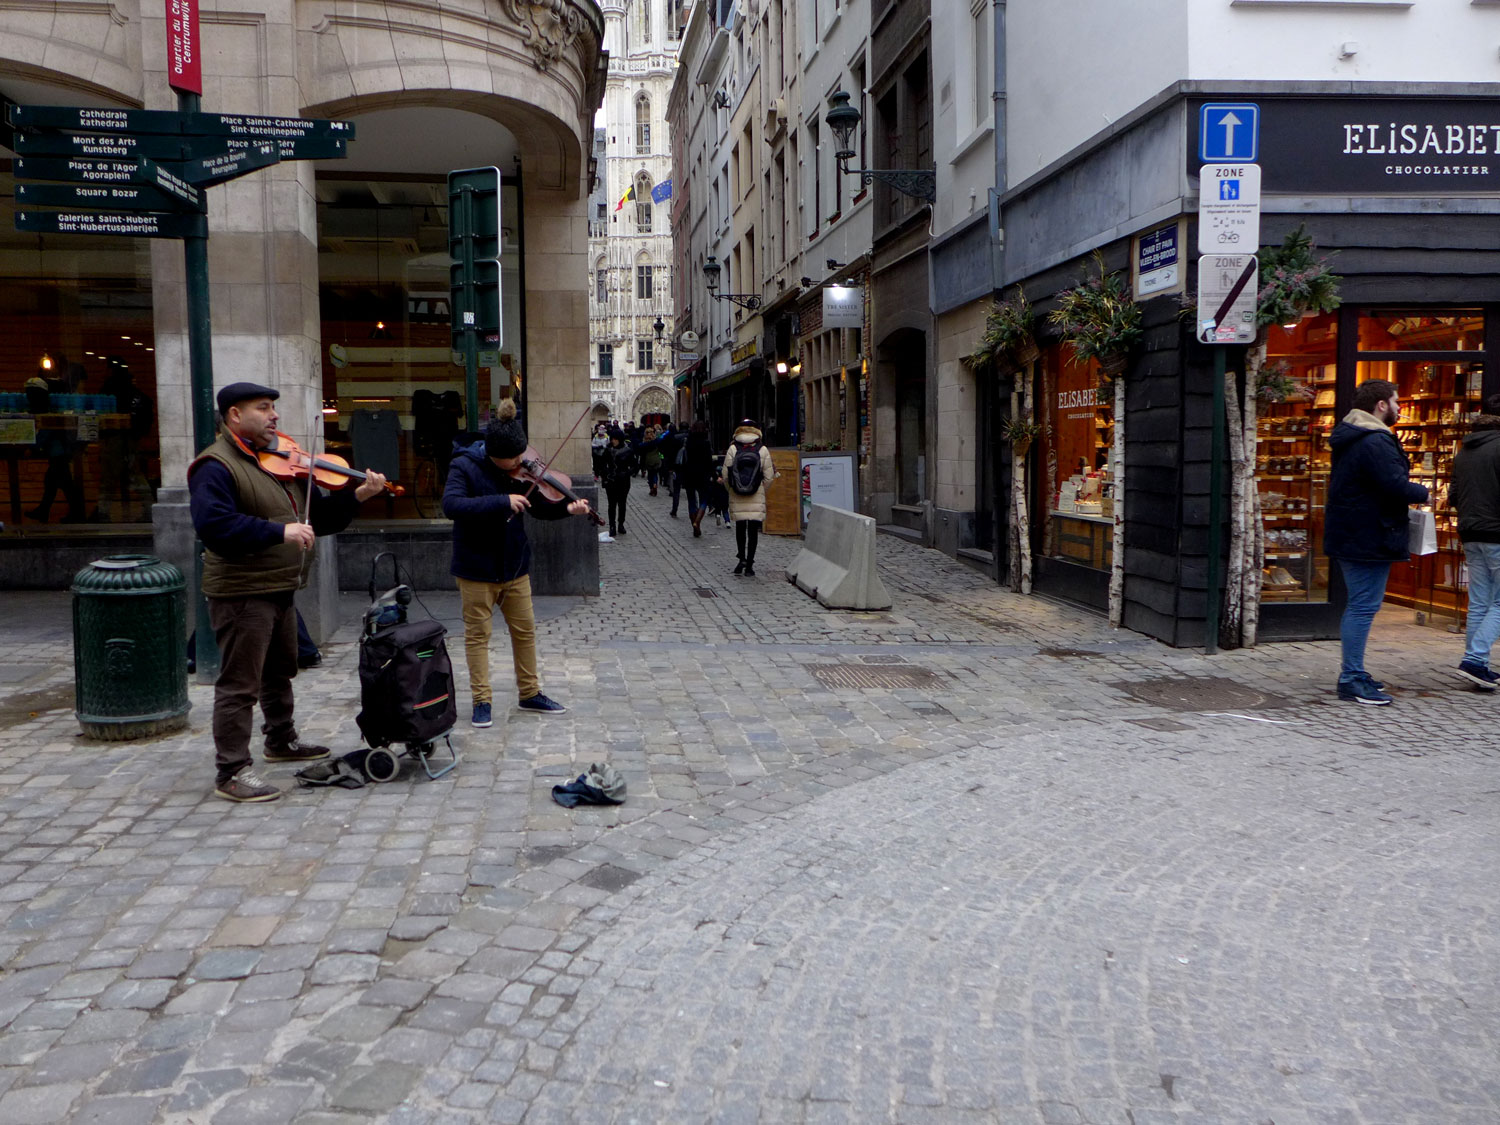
[1406, 146]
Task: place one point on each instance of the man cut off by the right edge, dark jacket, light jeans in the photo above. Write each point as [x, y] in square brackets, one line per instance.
[1475, 496]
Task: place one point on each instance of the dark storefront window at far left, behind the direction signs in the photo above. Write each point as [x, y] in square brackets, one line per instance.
[79, 434]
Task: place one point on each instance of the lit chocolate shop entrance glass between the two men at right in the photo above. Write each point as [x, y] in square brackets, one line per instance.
[1441, 394]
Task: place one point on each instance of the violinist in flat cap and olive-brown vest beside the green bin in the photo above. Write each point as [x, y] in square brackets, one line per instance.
[259, 535]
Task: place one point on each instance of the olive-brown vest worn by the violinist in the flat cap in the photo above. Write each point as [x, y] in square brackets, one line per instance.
[275, 571]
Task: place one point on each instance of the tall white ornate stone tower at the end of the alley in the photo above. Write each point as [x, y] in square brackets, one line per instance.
[631, 239]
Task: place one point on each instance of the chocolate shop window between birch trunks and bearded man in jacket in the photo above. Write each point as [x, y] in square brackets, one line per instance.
[1292, 457]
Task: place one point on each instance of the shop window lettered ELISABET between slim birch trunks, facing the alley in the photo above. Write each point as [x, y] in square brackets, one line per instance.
[1076, 446]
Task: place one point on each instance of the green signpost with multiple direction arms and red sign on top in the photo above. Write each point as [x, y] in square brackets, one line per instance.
[142, 173]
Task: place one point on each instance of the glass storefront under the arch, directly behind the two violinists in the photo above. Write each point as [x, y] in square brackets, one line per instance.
[392, 385]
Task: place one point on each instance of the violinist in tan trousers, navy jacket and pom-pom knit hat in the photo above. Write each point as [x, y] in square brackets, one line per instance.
[493, 556]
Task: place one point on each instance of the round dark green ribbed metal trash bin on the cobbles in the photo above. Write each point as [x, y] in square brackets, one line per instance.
[130, 649]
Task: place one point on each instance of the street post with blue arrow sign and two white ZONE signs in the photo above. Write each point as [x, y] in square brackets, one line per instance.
[1229, 281]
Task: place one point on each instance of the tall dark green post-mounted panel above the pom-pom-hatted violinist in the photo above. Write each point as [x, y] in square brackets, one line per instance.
[475, 248]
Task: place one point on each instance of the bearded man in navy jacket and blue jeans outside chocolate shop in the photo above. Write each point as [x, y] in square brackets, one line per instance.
[1366, 523]
